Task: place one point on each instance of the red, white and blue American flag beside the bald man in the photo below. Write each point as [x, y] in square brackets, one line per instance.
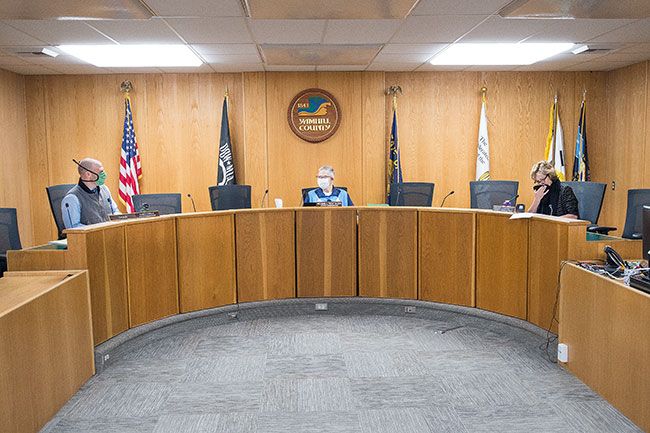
[130, 167]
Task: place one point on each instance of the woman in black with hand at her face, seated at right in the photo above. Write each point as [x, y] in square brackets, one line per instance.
[551, 197]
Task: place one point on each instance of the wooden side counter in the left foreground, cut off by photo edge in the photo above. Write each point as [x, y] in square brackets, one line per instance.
[46, 345]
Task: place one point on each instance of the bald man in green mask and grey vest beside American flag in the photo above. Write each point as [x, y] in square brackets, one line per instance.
[90, 201]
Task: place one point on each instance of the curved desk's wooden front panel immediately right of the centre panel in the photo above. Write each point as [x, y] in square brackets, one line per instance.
[388, 252]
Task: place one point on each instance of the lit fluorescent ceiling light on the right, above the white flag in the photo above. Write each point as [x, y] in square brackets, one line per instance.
[498, 54]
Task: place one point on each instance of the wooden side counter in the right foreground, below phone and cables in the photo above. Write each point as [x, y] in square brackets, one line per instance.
[605, 325]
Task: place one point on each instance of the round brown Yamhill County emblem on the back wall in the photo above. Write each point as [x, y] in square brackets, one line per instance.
[314, 115]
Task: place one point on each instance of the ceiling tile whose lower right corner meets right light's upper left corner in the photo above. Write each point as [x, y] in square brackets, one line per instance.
[435, 29]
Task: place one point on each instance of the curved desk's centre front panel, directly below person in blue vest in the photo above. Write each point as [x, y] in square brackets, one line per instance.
[326, 252]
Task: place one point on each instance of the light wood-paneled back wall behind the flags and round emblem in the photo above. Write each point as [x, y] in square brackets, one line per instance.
[177, 122]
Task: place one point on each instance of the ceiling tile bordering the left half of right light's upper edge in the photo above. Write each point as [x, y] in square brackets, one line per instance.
[497, 29]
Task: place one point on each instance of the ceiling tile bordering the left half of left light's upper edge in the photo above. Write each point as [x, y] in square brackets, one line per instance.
[60, 32]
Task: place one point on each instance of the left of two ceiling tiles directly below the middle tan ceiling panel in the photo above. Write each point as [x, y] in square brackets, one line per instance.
[287, 31]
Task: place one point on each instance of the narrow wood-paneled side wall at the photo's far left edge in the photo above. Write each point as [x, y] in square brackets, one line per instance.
[15, 171]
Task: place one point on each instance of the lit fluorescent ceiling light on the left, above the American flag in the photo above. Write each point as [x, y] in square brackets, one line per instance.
[126, 56]
